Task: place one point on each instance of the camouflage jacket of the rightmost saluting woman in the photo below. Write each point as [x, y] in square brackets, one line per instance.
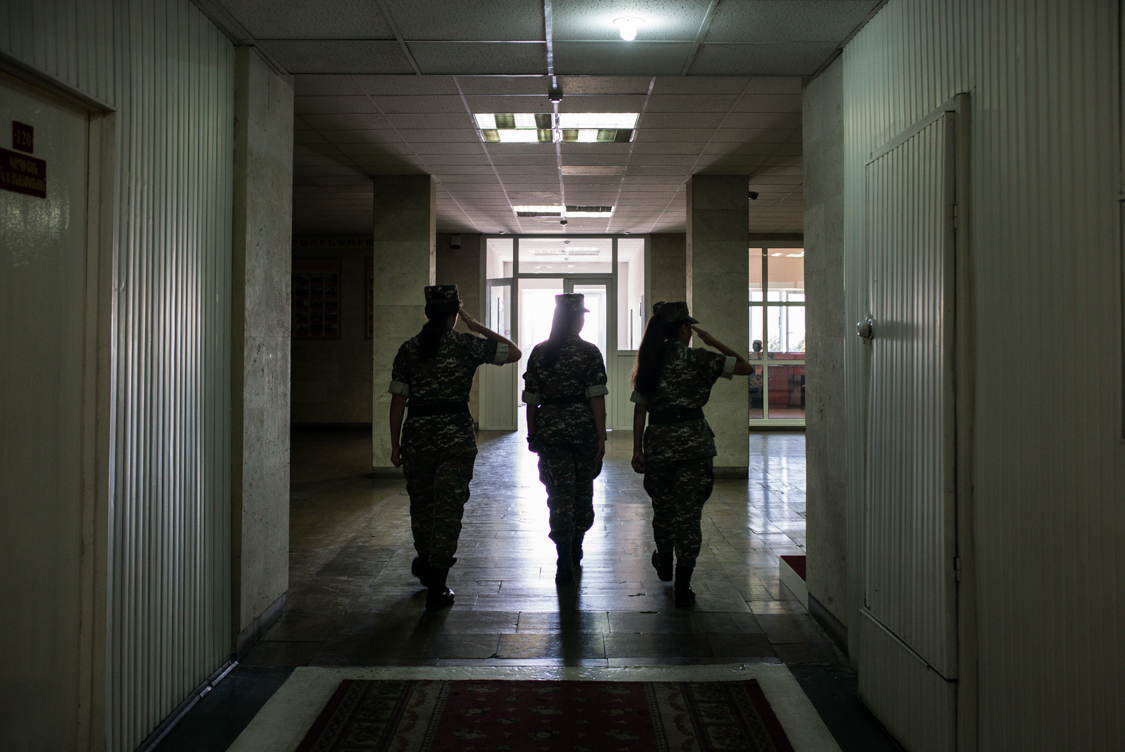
[686, 383]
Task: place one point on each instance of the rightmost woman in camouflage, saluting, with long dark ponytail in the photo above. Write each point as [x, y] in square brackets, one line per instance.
[672, 383]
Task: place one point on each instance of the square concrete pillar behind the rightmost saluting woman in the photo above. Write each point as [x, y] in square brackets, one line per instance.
[718, 273]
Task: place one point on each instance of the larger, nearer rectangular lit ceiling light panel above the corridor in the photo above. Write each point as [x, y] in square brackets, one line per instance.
[570, 128]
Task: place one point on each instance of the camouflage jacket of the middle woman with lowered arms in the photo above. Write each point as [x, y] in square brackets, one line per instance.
[580, 371]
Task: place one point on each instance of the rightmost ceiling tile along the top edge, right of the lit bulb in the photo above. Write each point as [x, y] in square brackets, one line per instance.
[787, 21]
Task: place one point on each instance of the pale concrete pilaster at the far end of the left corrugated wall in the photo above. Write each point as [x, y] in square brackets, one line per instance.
[260, 347]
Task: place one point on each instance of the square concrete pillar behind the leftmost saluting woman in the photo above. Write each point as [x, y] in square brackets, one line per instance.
[406, 236]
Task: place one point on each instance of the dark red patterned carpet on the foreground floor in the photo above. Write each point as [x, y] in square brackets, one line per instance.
[546, 717]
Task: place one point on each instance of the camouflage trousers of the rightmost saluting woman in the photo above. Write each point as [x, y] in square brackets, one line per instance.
[679, 493]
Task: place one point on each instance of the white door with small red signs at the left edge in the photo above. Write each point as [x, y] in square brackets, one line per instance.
[43, 226]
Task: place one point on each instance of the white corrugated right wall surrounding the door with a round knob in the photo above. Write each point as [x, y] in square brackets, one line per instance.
[1048, 463]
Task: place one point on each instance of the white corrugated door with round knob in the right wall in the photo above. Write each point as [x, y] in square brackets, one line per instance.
[908, 624]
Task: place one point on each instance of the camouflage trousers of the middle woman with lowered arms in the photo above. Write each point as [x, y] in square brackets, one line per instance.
[569, 473]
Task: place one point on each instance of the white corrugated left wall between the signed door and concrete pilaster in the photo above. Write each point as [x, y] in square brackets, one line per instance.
[168, 74]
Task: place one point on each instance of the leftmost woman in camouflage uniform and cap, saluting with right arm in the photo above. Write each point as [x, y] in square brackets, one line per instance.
[435, 372]
